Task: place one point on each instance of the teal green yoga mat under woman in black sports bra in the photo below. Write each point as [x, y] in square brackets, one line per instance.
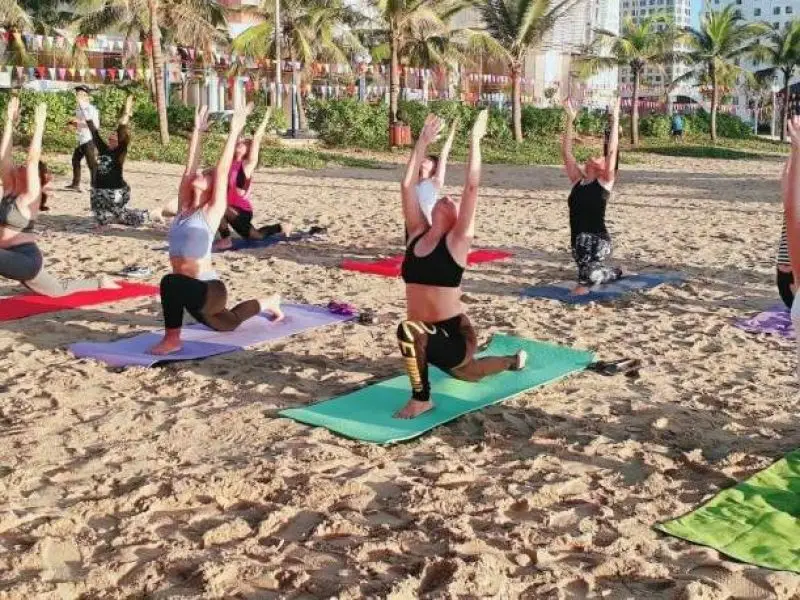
[366, 414]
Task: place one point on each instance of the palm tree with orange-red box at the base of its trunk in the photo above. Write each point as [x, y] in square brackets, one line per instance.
[403, 24]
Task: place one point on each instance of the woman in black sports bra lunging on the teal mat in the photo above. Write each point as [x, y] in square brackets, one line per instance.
[436, 330]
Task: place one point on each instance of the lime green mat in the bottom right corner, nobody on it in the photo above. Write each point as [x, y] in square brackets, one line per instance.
[755, 521]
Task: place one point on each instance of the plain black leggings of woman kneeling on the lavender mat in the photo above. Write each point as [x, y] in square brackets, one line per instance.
[204, 300]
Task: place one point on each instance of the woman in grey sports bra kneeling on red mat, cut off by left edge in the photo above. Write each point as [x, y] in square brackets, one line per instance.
[22, 197]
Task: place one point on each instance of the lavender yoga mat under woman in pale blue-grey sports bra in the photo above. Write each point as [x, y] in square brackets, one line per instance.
[199, 341]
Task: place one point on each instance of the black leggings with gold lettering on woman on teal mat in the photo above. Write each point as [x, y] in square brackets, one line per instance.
[449, 345]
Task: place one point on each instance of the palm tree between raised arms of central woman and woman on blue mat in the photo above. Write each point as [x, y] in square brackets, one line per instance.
[515, 27]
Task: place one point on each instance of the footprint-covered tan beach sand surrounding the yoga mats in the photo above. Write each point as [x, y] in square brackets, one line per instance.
[181, 482]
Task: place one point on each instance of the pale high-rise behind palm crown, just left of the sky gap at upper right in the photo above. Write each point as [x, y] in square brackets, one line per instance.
[655, 79]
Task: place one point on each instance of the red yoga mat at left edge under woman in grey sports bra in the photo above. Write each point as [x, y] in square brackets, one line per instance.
[26, 305]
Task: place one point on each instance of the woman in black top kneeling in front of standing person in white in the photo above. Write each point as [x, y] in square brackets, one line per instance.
[110, 194]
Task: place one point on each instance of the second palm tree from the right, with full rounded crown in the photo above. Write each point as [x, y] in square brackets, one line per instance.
[723, 38]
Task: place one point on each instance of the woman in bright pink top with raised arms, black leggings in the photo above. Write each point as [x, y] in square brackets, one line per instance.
[239, 212]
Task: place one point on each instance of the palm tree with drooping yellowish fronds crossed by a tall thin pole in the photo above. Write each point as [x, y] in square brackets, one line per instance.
[311, 30]
